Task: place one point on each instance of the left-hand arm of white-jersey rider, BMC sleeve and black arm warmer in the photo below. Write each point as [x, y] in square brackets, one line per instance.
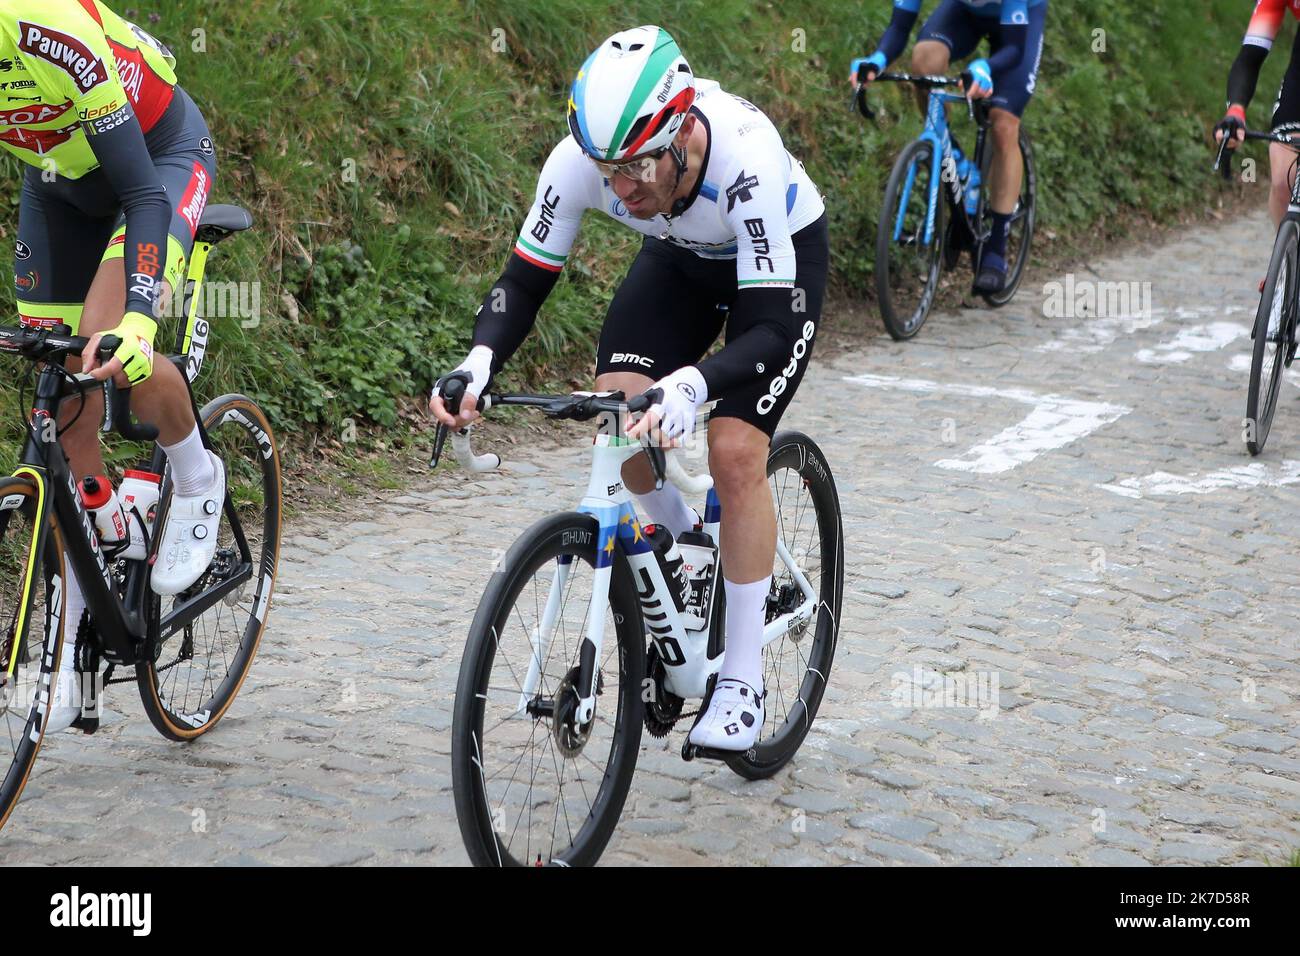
[564, 194]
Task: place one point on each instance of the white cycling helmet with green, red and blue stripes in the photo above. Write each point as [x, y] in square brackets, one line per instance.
[631, 96]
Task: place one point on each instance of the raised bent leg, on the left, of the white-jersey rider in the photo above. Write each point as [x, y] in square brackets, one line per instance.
[662, 318]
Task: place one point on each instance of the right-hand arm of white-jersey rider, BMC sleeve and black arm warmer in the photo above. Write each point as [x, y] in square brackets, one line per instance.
[765, 321]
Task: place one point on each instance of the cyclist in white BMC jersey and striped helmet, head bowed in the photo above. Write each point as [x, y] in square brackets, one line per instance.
[736, 239]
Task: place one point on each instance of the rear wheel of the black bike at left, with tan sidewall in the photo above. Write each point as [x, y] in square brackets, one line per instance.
[201, 665]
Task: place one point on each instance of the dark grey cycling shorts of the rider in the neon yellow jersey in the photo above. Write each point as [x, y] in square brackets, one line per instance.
[68, 227]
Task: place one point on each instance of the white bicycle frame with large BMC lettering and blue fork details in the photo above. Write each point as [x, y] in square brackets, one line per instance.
[684, 654]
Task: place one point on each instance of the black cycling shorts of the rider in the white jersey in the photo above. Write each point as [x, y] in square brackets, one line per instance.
[673, 305]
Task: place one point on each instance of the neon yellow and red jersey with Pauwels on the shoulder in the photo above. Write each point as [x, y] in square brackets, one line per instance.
[70, 68]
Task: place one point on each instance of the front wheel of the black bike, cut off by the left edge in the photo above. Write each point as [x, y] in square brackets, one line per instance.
[31, 634]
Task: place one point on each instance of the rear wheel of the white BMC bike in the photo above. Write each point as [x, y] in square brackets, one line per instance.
[798, 665]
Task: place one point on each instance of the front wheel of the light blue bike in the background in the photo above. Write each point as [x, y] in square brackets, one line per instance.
[909, 249]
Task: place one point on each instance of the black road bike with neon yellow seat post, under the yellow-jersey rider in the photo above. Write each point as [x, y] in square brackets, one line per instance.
[190, 652]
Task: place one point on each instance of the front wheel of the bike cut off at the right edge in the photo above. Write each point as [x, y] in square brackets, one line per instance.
[1273, 335]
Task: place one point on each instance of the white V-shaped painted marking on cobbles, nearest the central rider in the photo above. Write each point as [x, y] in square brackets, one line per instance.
[1055, 422]
